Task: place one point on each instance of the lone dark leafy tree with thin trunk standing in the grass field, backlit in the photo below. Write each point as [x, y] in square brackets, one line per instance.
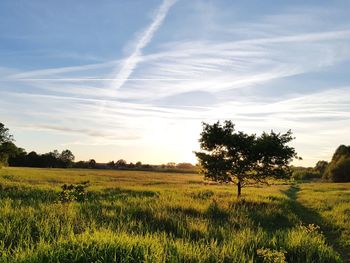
[231, 156]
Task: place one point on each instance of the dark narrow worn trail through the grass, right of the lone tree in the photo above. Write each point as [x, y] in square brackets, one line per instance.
[310, 216]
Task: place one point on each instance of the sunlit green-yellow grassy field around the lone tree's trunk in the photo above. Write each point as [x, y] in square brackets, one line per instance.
[168, 217]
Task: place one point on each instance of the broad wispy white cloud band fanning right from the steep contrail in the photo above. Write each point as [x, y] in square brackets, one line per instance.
[218, 66]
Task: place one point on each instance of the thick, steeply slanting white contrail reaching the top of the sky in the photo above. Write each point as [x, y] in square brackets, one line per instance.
[130, 63]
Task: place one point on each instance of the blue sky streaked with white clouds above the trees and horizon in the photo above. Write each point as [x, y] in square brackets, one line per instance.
[135, 79]
